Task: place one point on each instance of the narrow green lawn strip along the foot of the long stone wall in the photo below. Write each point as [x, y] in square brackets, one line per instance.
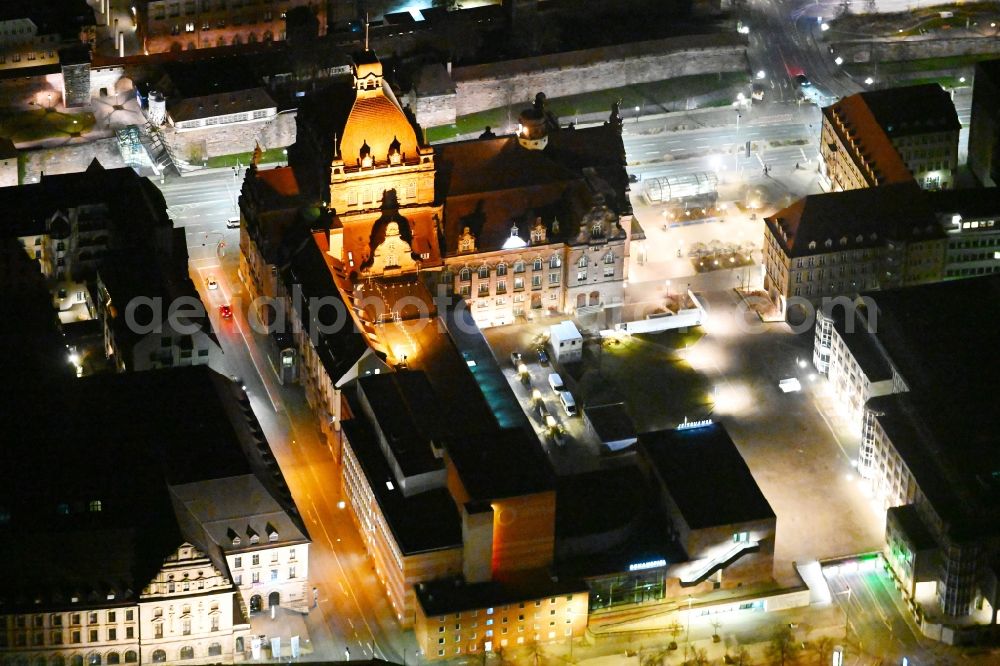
[652, 97]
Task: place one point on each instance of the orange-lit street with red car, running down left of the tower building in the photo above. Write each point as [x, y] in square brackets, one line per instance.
[353, 612]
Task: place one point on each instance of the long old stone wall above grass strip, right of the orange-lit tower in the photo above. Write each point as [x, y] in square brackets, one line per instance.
[481, 87]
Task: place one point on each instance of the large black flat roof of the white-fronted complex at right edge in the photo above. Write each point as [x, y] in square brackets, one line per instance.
[944, 427]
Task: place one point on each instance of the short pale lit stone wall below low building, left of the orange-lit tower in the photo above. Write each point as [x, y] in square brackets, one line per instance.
[194, 145]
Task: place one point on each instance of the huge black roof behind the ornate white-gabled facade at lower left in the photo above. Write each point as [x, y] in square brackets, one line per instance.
[122, 442]
